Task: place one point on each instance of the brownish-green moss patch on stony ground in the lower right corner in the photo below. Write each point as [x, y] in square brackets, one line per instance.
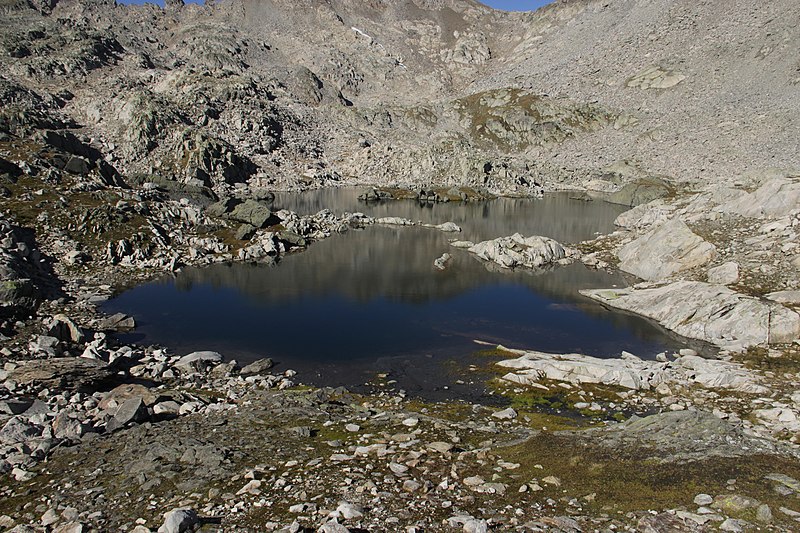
[631, 481]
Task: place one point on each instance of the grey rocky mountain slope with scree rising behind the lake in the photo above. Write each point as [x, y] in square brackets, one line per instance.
[416, 92]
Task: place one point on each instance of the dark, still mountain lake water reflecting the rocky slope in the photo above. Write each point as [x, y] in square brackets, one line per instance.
[371, 300]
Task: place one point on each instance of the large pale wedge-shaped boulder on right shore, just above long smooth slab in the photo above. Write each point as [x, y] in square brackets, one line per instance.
[664, 251]
